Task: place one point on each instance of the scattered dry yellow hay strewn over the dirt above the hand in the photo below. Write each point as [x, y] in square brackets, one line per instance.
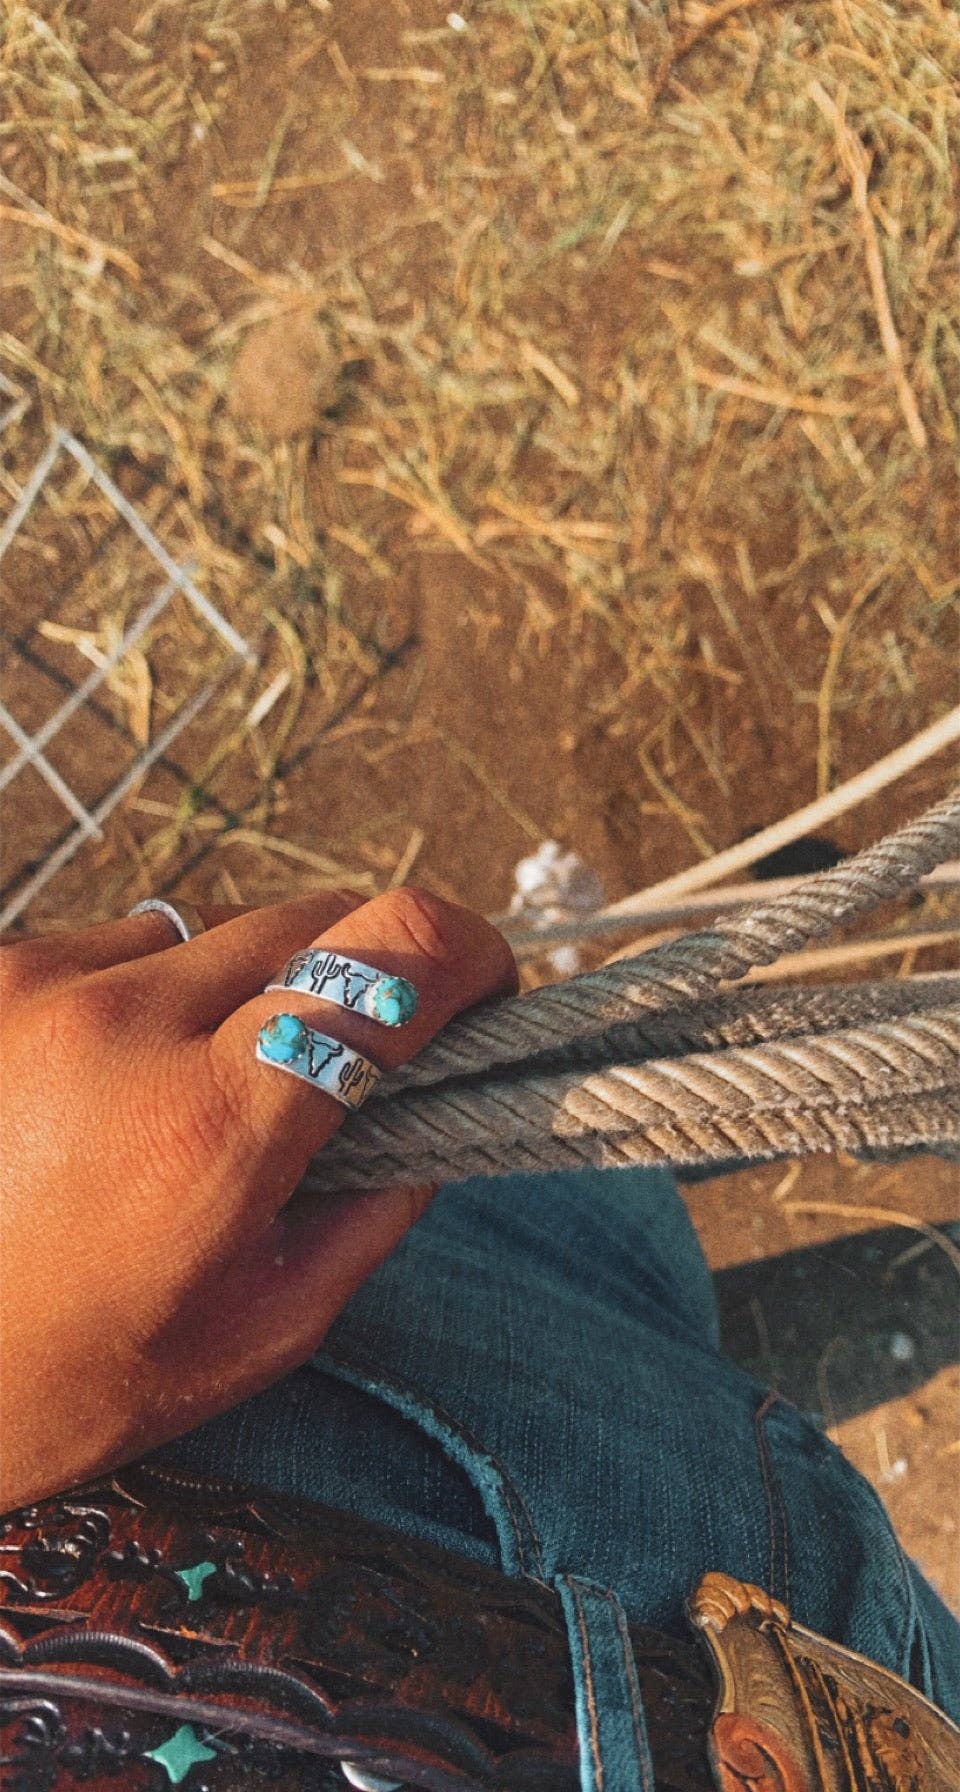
[646, 316]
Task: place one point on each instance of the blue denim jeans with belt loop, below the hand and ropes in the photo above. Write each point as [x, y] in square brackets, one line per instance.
[535, 1381]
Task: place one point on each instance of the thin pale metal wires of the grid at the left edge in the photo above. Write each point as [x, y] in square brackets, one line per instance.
[31, 746]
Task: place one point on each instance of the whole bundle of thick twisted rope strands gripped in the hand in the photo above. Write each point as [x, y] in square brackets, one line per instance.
[651, 1062]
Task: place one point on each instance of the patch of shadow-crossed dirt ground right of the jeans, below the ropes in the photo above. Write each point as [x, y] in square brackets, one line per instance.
[832, 1291]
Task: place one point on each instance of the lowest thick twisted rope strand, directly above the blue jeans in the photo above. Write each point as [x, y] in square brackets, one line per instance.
[685, 1107]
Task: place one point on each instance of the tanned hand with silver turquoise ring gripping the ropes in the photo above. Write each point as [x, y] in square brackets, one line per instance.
[150, 1275]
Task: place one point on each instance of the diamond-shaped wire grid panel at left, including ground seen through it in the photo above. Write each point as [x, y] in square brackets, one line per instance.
[78, 594]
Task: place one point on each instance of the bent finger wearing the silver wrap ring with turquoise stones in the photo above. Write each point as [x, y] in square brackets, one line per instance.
[452, 956]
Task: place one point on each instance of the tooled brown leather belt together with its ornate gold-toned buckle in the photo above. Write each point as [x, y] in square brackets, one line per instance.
[159, 1630]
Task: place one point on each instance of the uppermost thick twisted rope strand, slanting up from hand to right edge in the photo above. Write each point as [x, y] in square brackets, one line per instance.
[563, 1015]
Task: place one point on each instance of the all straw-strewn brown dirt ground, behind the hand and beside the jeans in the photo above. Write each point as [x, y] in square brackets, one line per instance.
[519, 388]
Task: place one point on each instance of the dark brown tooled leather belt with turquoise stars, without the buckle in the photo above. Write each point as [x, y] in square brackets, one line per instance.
[295, 1635]
